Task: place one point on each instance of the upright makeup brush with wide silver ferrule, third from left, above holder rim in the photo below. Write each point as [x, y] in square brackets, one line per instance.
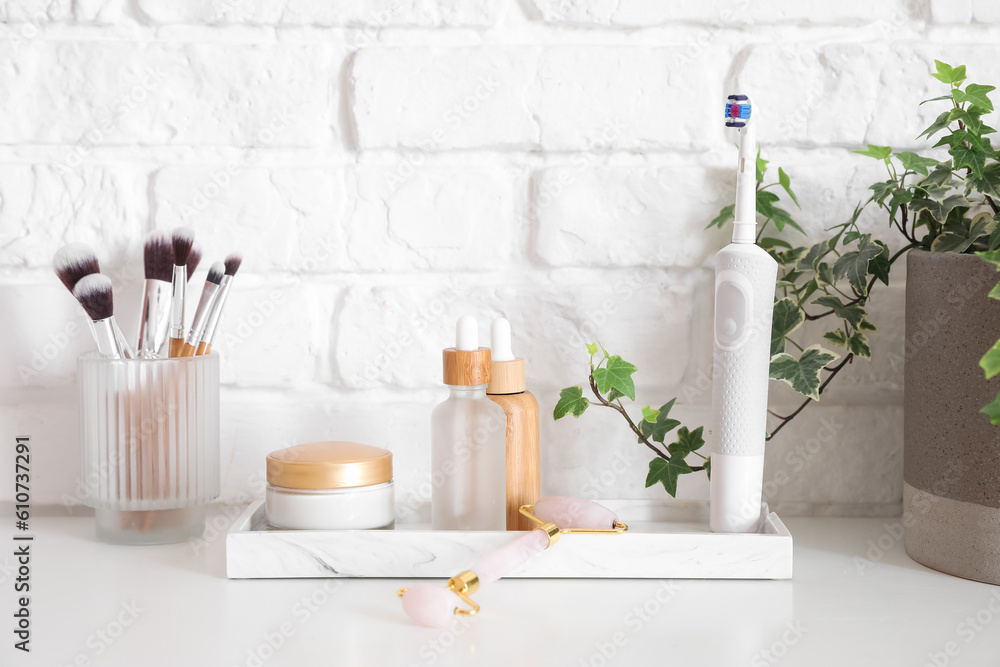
[154, 322]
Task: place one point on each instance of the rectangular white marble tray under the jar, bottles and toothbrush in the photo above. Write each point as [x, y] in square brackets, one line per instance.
[663, 542]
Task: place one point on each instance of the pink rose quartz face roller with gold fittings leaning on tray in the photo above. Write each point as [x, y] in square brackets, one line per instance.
[436, 607]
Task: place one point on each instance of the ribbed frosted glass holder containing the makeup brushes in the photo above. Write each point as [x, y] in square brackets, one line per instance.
[149, 433]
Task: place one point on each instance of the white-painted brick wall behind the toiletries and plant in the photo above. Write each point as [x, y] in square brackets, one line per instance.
[386, 166]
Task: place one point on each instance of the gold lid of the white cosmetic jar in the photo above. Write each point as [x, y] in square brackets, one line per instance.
[329, 465]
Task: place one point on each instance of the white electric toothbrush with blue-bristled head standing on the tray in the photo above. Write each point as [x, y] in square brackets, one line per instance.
[745, 277]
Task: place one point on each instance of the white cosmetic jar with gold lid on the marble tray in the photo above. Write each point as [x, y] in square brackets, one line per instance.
[330, 486]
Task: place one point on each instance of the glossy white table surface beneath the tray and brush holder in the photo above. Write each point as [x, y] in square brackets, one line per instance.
[838, 610]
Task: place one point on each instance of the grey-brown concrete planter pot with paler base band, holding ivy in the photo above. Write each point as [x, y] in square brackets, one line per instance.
[951, 455]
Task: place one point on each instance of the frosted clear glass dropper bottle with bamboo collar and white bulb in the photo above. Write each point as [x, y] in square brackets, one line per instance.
[468, 445]
